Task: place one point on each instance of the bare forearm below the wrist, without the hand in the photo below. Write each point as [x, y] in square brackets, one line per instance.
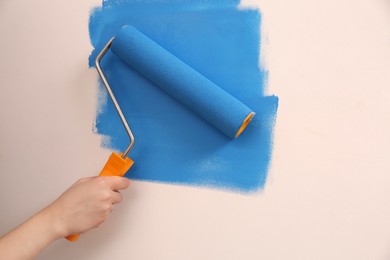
[30, 238]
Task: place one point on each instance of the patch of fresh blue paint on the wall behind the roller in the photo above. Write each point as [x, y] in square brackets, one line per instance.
[173, 145]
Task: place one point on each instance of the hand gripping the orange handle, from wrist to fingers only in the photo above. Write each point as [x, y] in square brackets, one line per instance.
[86, 204]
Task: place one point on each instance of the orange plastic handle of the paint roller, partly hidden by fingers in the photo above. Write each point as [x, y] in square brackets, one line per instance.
[115, 166]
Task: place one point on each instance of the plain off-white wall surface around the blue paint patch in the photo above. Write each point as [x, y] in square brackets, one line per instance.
[328, 191]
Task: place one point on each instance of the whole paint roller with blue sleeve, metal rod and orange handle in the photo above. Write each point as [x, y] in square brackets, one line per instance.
[177, 79]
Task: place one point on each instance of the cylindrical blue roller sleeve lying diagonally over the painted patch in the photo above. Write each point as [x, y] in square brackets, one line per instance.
[179, 80]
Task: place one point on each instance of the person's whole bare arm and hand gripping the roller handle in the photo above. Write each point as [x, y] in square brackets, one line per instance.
[85, 205]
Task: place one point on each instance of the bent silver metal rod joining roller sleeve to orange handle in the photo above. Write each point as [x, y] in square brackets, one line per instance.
[112, 96]
